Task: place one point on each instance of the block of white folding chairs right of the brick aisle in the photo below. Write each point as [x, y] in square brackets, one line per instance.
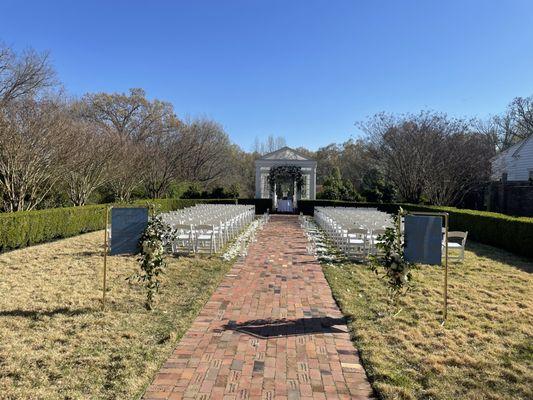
[354, 231]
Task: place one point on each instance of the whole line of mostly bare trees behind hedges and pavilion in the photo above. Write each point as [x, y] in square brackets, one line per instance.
[56, 150]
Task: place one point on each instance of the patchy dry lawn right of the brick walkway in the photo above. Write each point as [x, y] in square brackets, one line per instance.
[485, 349]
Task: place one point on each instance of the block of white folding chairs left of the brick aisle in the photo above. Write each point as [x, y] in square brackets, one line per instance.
[206, 228]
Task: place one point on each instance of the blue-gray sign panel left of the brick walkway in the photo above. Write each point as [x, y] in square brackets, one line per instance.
[127, 227]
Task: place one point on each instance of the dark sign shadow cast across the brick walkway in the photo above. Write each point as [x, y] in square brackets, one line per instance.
[266, 328]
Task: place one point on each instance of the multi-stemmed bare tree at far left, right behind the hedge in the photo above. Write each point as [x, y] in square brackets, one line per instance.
[33, 148]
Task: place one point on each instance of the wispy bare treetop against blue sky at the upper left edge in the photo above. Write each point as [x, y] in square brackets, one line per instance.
[23, 75]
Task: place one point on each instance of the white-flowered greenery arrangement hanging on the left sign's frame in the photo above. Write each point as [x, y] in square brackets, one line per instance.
[151, 258]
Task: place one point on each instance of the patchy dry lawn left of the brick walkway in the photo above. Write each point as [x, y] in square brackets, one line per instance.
[55, 343]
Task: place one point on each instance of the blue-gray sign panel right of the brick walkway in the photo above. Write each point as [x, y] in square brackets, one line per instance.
[423, 239]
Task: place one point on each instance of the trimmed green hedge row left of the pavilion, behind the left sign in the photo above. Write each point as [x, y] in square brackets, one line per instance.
[26, 228]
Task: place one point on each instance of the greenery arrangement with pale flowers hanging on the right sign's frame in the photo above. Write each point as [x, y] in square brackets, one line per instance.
[397, 271]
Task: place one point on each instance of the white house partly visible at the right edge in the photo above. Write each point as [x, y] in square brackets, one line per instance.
[515, 163]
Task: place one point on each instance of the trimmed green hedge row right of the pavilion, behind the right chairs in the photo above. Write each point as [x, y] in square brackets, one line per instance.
[514, 234]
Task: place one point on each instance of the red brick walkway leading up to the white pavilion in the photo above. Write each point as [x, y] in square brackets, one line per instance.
[271, 331]
